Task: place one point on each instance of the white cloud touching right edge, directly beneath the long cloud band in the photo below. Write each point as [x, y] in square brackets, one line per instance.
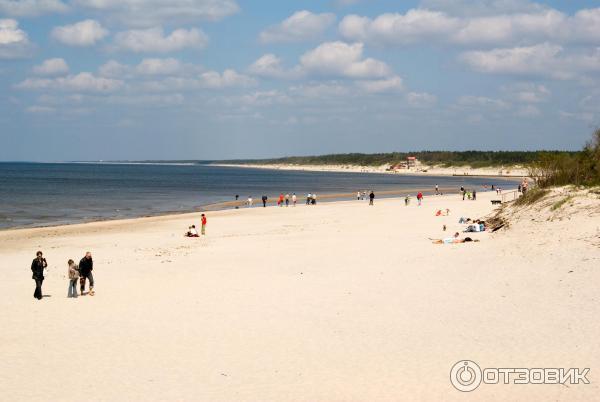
[544, 60]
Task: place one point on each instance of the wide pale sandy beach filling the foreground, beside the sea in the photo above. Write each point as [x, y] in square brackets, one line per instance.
[334, 302]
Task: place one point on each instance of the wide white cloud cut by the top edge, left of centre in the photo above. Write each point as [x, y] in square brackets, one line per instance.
[157, 12]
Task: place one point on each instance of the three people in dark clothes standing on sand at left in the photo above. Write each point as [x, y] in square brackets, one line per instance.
[81, 273]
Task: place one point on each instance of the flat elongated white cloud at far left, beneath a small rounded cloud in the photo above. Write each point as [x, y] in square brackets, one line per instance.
[82, 82]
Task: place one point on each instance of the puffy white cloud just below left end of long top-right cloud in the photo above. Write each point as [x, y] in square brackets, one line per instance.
[343, 60]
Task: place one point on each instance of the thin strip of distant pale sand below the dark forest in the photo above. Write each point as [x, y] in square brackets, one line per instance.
[510, 172]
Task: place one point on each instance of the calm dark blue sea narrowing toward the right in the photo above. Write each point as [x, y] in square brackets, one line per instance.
[34, 194]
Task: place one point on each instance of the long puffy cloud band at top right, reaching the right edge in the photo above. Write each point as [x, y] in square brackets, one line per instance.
[423, 25]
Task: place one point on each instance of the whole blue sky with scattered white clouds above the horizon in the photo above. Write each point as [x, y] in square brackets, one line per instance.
[215, 79]
